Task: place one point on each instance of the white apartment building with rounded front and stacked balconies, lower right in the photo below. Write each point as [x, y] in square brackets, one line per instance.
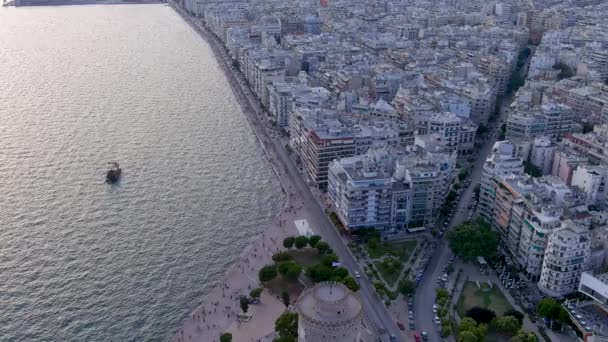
[566, 257]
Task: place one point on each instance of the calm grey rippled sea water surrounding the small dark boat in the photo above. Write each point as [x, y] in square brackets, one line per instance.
[81, 260]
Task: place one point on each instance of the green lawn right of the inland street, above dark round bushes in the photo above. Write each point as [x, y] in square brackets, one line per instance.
[484, 297]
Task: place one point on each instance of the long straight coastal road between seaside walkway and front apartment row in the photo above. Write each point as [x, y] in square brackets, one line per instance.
[295, 185]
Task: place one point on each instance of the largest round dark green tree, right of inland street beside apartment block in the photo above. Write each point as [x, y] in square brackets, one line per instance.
[472, 239]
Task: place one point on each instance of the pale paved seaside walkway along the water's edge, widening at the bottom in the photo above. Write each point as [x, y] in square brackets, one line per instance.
[202, 323]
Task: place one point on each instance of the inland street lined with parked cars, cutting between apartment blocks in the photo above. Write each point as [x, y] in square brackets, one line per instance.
[425, 294]
